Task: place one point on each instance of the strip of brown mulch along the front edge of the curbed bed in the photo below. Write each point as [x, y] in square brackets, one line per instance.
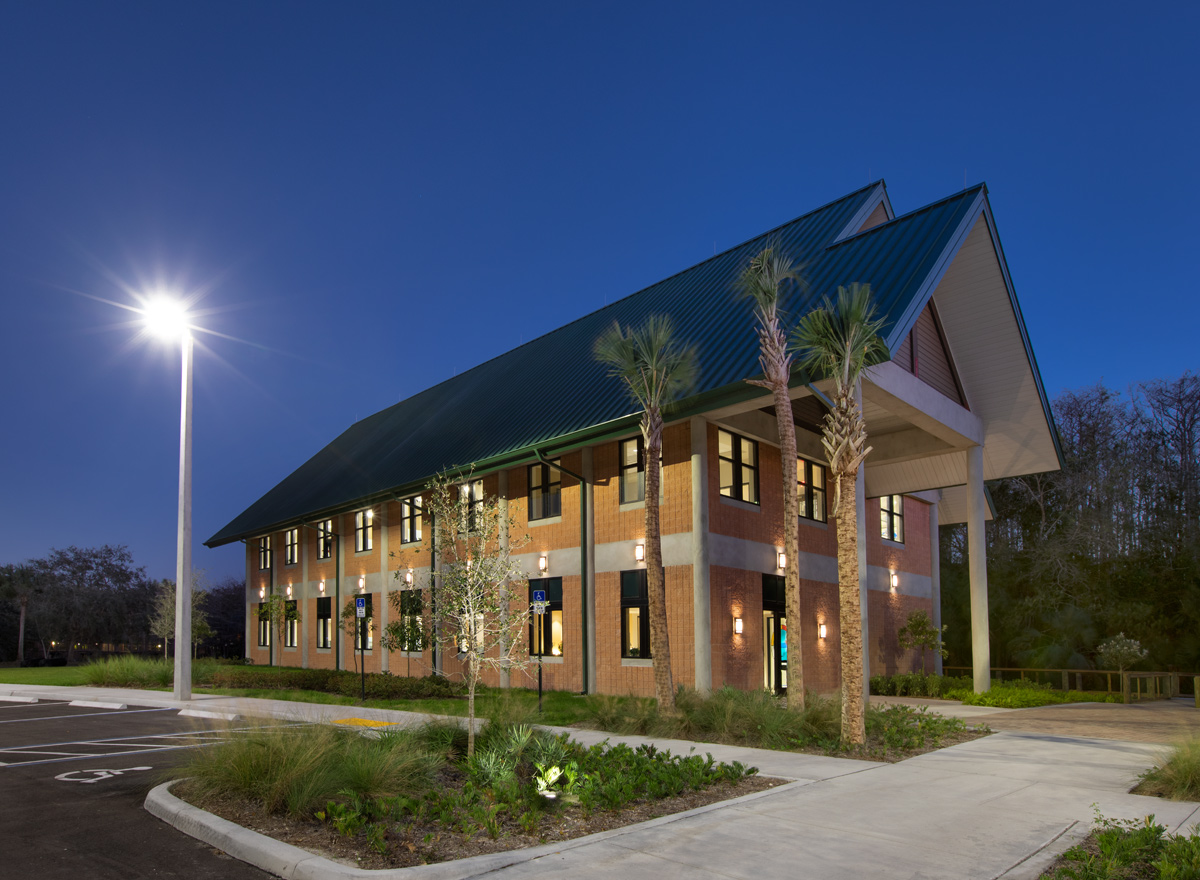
[411, 843]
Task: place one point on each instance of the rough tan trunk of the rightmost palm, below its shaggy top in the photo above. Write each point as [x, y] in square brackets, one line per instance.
[854, 727]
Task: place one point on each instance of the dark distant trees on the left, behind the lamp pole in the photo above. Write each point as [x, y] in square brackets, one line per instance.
[97, 601]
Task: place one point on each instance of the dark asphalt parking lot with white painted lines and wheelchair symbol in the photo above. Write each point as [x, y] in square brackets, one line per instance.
[73, 782]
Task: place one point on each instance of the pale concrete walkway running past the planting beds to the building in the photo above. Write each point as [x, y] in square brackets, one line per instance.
[999, 807]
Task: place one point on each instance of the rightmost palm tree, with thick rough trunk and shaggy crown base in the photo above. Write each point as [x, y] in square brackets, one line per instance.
[838, 342]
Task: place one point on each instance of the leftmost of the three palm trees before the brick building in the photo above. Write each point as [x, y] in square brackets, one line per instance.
[657, 369]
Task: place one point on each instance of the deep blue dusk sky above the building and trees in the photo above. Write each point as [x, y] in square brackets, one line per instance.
[376, 196]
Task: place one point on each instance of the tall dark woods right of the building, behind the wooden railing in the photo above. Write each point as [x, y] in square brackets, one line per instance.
[1109, 544]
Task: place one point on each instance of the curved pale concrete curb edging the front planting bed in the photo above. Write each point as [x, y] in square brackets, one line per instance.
[295, 864]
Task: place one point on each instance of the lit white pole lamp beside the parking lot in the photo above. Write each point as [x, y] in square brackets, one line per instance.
[169, 320]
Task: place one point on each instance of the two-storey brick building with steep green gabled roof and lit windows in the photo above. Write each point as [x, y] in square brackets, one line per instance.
[544, 427]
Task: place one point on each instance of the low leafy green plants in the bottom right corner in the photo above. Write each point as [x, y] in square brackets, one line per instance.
[1131, 849]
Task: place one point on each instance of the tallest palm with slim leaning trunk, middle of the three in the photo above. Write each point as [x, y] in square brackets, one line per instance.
[760, 283]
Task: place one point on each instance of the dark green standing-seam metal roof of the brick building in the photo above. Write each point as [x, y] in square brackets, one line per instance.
[465, 421]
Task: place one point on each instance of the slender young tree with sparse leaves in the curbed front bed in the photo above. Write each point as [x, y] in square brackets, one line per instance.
[476, 613]
